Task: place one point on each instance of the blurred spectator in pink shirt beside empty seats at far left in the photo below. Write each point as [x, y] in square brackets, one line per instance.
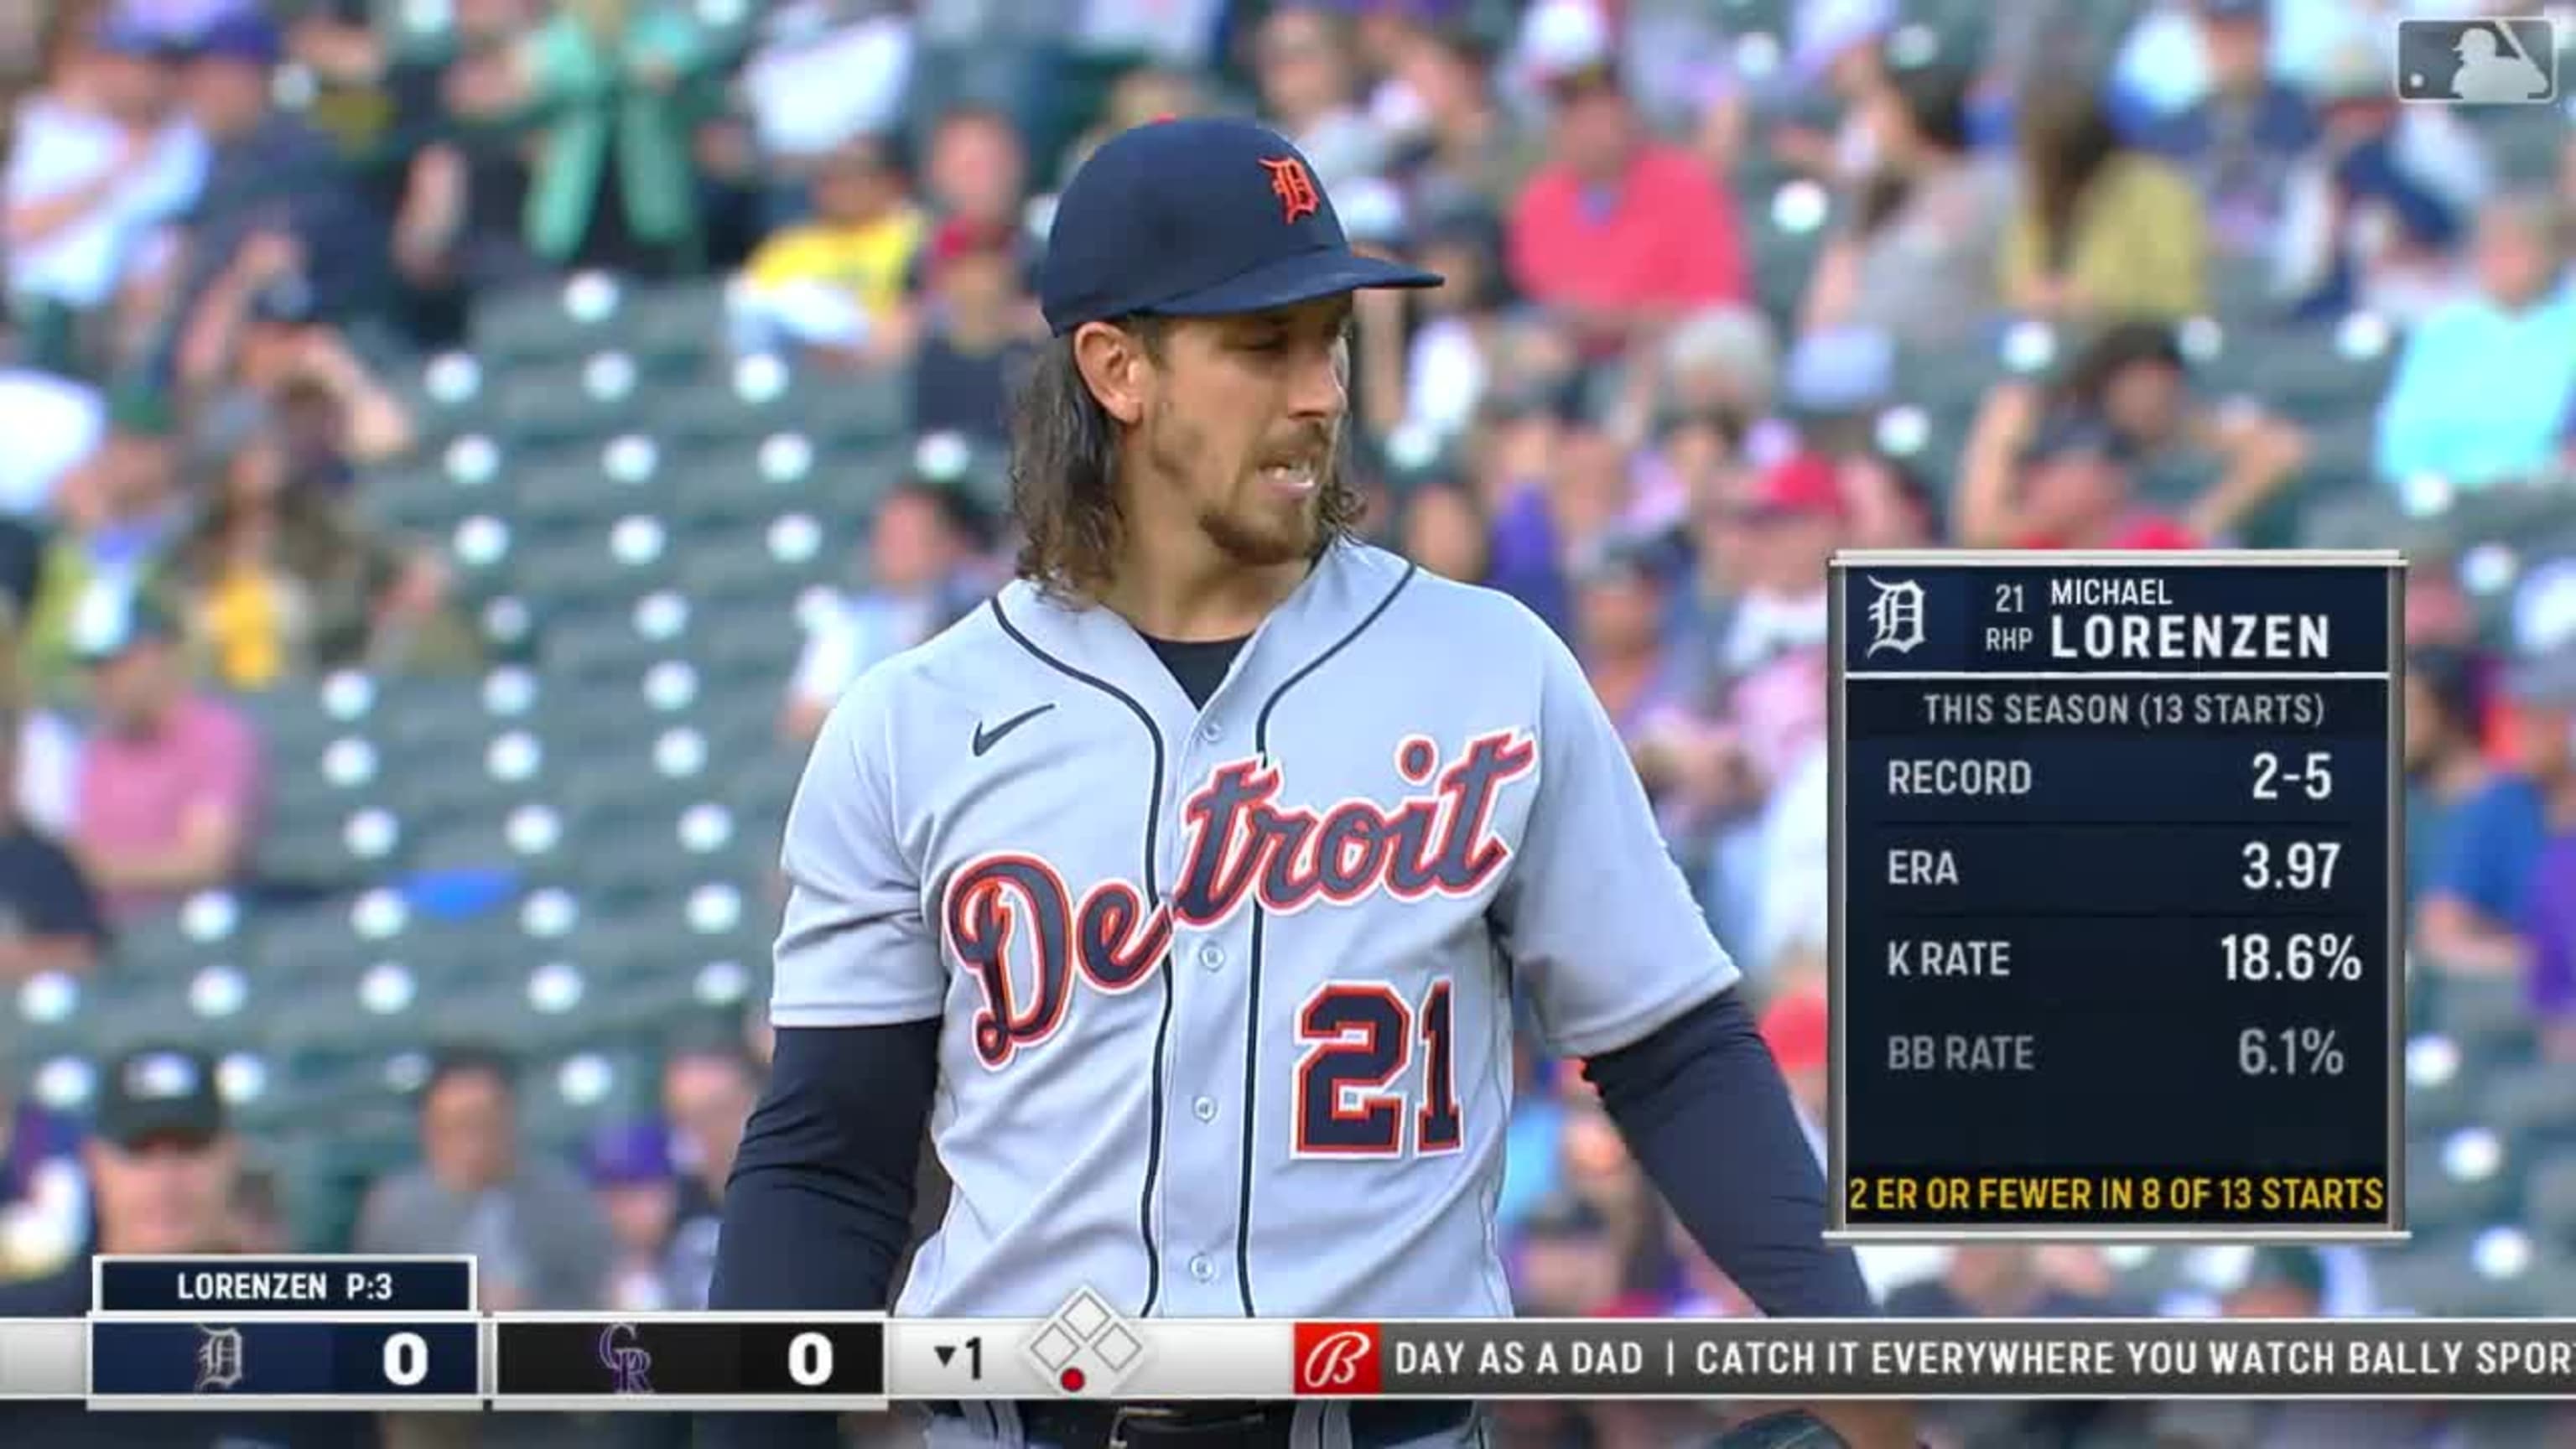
[171, 780]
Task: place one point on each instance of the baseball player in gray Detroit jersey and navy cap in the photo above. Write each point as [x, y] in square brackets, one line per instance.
[1184, 888]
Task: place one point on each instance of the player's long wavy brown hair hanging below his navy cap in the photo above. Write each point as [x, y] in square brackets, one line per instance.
[1065, 476]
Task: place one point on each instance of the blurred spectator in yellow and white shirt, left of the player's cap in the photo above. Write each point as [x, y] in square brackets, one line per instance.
[836, 287]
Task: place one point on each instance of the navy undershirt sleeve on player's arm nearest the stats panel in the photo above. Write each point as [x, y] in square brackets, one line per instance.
[1707, 1115]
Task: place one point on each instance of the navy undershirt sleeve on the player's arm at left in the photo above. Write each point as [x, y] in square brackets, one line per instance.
[818, 1211]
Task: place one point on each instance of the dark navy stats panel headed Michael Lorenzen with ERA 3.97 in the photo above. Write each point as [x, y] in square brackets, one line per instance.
[2116, 937]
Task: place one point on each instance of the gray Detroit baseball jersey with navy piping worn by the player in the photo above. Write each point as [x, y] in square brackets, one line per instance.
[1227, 994]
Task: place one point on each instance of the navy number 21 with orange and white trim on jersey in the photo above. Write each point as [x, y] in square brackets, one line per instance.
[1359, 1040]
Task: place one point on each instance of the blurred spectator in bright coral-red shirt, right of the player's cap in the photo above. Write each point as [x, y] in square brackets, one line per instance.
[1622, 231]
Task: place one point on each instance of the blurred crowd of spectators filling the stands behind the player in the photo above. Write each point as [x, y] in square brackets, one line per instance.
[1730, 287]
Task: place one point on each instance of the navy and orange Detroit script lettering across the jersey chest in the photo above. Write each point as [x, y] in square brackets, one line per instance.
[1243, 844]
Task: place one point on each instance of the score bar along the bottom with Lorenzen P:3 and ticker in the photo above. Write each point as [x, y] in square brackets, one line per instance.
[385, 1334]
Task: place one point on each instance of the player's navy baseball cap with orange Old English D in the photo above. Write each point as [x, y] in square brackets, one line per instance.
[1199, 218]
